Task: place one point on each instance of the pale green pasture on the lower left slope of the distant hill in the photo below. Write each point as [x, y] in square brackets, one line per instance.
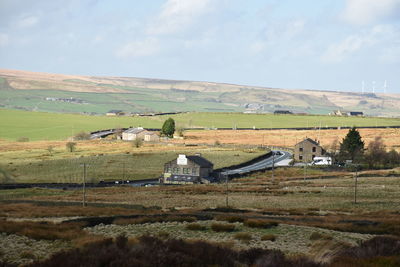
[137, 100]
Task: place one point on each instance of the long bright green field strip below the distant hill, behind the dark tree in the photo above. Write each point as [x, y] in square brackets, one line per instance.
[55, 126]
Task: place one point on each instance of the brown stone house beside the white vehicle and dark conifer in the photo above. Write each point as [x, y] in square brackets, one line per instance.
[307, 150]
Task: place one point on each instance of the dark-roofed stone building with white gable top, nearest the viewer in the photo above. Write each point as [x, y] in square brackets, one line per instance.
[187, 170]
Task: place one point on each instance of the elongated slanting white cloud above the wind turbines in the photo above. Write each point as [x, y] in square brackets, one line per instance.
[354, 43]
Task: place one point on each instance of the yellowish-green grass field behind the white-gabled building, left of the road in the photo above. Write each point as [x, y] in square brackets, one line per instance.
[105, 161]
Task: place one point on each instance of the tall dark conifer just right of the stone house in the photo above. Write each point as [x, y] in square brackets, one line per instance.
[352, 147]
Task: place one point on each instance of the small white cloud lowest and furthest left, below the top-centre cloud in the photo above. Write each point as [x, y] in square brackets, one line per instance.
[143, 48]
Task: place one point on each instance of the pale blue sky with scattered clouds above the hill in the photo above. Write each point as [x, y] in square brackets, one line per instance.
[307, 44]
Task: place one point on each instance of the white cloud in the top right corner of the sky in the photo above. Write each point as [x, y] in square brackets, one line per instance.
[363, 12]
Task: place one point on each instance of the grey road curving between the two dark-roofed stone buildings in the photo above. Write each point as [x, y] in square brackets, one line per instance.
[279, 158]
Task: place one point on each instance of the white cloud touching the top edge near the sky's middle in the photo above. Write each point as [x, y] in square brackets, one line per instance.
[178, 15]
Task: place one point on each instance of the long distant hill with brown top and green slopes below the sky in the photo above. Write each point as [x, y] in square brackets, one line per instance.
[89, 94]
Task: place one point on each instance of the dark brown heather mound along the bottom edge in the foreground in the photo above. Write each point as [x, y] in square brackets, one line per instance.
[151, 251]
